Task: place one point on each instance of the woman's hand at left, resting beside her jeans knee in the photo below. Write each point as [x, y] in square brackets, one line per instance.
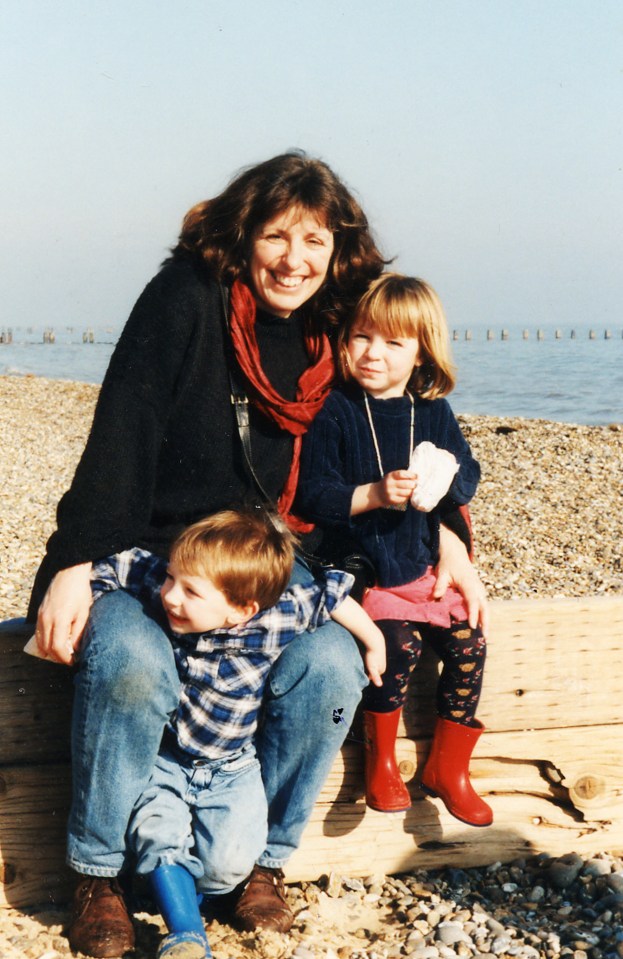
[64, 612]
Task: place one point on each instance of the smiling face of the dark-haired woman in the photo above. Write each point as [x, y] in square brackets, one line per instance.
[290, 257]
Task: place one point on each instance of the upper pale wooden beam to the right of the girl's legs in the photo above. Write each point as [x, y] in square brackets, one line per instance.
[550, 664]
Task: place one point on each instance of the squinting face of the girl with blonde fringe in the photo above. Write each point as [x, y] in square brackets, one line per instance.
[381, 364]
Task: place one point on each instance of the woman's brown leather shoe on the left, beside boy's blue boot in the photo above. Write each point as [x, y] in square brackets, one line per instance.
[100, 924]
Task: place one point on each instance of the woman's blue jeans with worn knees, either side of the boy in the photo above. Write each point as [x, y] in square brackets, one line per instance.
[126, 687]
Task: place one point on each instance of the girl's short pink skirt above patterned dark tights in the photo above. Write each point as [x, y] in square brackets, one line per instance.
[414, 602]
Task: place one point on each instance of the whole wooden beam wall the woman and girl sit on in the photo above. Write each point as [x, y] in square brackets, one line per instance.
[550, 762]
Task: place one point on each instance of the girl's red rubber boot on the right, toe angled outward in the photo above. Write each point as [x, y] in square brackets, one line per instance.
[446, 773]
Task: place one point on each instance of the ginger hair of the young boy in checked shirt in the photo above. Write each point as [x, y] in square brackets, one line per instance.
[247, 554]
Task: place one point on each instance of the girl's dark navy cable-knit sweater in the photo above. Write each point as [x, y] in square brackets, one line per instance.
[339, 455]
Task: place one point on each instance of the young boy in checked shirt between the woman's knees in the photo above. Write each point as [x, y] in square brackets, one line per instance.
[202, 821]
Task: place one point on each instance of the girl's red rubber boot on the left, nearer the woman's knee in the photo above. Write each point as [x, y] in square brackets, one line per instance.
[385, 790]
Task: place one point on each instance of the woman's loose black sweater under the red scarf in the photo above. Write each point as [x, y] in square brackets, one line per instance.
[164, 450]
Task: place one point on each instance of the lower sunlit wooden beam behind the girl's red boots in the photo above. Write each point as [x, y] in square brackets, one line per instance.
[551, 791]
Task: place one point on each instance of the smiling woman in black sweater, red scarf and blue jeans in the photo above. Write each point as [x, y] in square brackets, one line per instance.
[290, 248]
